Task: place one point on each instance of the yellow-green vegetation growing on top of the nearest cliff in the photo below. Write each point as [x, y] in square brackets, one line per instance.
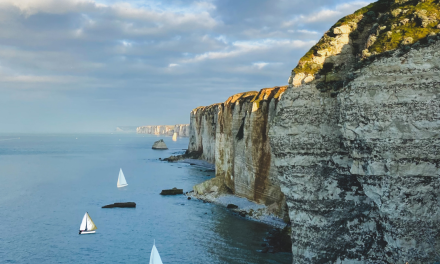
[391, 22]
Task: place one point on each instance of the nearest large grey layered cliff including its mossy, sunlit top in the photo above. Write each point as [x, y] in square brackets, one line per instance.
[356, 143]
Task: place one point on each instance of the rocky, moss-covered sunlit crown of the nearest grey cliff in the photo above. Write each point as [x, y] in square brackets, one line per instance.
[382, 26]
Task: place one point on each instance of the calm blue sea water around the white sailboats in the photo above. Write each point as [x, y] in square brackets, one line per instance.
[48, 182]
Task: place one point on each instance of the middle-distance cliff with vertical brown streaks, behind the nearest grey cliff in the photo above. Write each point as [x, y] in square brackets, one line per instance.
[233, 135]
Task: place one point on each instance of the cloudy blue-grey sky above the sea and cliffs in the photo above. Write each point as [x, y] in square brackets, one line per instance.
[78, 66]
